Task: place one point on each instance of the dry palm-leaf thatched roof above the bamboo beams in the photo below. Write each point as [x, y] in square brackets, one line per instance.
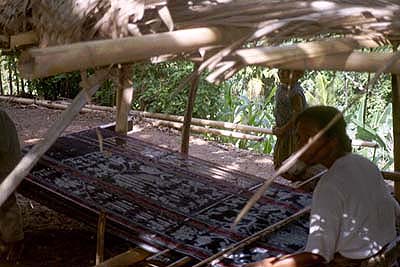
[57, 22]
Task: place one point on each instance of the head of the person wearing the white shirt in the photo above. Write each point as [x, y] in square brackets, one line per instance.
[334, 143]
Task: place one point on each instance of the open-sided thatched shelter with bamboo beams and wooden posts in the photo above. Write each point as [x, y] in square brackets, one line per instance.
[221, 36]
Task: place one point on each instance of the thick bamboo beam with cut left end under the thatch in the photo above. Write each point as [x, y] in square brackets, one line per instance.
[42, 62]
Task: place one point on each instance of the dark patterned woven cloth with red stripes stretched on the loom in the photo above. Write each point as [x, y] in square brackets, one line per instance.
[166, 200]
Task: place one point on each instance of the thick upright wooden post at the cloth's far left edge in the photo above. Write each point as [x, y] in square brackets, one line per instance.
[124, 99]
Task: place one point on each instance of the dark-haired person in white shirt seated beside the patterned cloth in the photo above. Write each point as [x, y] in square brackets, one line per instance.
[353, 215]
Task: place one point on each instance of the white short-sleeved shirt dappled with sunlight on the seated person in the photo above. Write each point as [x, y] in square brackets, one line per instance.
[352, 212]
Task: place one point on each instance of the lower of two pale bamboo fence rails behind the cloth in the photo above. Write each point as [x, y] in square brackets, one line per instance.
[198, 129]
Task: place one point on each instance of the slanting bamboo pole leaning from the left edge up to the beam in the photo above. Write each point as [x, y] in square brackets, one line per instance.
[10, 183]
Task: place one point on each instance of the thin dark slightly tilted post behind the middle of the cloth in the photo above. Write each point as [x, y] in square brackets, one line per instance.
[188, 114]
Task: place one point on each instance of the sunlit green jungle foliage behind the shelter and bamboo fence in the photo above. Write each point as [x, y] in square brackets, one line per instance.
[246, 98]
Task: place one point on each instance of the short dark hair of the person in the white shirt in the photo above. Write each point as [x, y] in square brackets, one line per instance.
[322, 115]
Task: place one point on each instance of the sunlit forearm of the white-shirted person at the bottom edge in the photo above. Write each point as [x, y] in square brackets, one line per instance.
[303, 259]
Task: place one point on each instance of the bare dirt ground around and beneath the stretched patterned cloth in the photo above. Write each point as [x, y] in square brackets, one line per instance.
[53, 239]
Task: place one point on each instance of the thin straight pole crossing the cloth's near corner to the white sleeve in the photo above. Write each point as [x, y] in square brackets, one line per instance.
[254, 237]
